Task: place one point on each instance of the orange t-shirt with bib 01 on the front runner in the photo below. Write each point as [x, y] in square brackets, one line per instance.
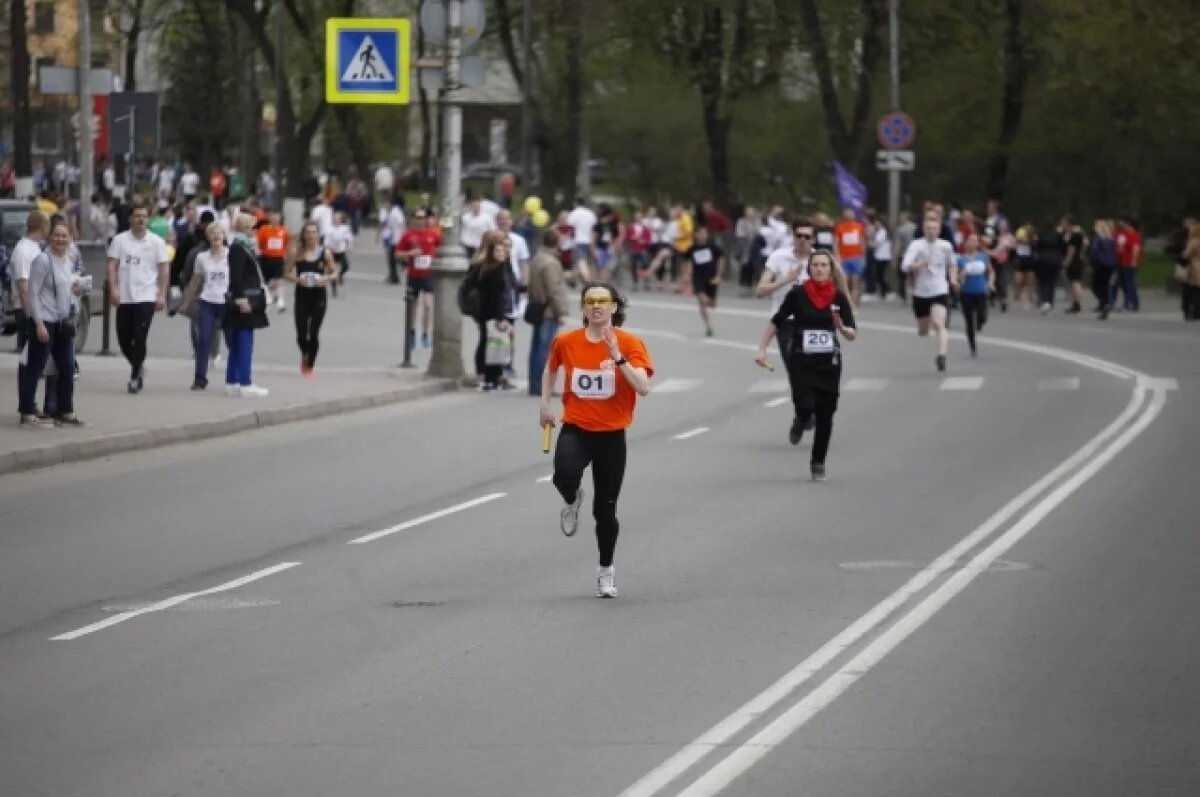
[597, 397]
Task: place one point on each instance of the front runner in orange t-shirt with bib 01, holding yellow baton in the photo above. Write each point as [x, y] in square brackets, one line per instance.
[607, 370]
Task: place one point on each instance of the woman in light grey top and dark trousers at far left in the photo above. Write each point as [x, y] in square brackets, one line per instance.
[52, 328]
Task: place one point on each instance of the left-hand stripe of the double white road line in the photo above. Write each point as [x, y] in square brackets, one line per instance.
[721, 734]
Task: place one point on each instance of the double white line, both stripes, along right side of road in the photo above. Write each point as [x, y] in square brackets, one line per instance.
[1144, 408]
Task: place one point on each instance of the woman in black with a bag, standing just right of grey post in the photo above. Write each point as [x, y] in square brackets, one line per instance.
[494, 278]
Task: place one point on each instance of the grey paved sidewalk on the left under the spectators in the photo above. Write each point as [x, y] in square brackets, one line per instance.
[167, 412]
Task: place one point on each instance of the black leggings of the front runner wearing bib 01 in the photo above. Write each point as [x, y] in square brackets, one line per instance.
[607, 453]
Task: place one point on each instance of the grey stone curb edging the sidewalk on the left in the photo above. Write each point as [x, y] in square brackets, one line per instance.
[151, 439]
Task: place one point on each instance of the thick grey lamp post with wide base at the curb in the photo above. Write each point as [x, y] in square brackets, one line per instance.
[451, 266]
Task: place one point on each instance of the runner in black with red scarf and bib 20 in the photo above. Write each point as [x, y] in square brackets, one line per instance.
[820, 313]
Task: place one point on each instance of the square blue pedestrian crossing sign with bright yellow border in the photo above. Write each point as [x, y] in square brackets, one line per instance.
[367, 62]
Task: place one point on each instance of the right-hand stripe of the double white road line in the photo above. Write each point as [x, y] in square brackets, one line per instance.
[777, 733]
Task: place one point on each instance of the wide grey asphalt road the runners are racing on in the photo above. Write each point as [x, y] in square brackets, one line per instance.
[993, 594]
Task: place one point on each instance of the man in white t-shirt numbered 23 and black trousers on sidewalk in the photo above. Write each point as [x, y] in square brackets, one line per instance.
[139, 275]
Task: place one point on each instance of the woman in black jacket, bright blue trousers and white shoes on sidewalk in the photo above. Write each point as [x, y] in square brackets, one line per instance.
[247, 310]
